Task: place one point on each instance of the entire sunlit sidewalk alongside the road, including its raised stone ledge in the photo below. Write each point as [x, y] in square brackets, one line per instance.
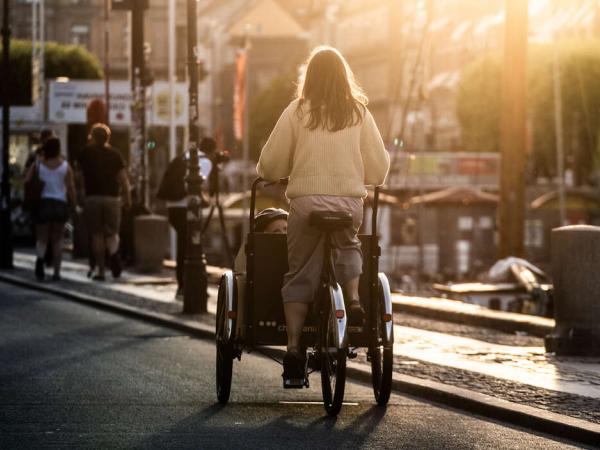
[505, 366]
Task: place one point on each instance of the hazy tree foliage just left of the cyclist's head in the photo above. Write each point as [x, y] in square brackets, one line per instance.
[266, 109]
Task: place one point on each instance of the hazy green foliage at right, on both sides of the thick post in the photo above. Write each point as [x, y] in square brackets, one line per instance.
[479, 106]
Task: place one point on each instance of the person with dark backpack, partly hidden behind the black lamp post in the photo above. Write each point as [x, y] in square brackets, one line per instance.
[173, 190]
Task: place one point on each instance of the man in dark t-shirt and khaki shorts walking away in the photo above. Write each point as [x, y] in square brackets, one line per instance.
[106, 185]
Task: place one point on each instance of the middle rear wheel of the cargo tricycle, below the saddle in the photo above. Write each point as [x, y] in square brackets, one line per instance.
[333, 361]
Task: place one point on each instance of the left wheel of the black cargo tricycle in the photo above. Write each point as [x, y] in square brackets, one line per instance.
[224, 347]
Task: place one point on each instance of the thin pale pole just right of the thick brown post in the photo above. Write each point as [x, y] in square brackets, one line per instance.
[558, 130]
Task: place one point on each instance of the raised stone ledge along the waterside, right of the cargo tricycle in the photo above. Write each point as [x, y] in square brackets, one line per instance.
[470, 314]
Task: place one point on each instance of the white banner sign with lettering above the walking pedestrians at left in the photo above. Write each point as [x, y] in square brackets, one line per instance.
[67, 102]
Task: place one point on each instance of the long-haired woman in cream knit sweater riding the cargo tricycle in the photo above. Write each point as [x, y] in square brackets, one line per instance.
[327, 143]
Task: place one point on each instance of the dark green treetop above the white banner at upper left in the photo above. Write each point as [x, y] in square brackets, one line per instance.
[60, 61]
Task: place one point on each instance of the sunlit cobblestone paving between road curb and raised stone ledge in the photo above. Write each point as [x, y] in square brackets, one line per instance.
[419, 334]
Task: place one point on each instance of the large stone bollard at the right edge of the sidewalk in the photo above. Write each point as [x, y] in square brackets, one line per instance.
[575, 259]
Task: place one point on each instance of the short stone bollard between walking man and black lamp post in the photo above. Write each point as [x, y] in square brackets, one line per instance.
[151, 240]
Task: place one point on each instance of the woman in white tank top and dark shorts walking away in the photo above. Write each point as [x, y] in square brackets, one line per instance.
[52, 212]
